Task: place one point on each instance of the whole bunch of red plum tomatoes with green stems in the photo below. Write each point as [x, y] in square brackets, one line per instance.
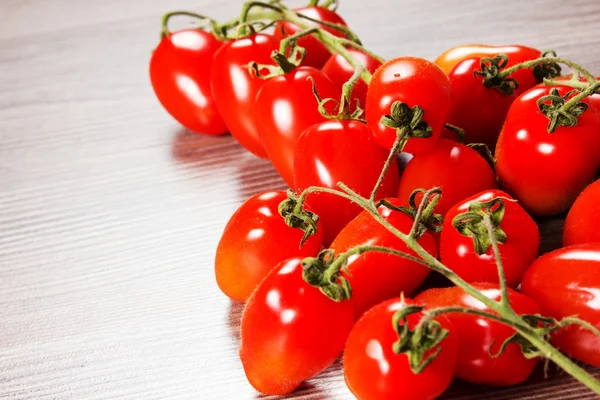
[444, 169]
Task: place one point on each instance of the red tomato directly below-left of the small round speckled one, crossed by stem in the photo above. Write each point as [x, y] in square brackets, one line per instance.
[340, 151]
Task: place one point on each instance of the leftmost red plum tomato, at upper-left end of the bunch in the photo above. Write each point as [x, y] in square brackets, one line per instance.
[180, 73]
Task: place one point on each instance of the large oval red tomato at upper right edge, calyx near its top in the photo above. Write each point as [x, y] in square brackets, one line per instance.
[544, 171]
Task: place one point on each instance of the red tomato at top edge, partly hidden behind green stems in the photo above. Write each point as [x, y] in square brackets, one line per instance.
[316, 53]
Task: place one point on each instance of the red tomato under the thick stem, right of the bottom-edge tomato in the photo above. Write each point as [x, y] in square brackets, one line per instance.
[478, 336]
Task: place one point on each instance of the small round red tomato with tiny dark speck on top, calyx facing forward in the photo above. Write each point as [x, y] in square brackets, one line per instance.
[413, 81]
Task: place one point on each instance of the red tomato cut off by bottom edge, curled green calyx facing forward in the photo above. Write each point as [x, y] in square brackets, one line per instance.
[374, 372]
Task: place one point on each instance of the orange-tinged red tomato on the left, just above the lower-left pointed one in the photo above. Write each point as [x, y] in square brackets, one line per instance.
[254, 241]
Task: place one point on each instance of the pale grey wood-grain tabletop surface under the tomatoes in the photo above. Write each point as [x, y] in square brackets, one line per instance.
[110, 212]
